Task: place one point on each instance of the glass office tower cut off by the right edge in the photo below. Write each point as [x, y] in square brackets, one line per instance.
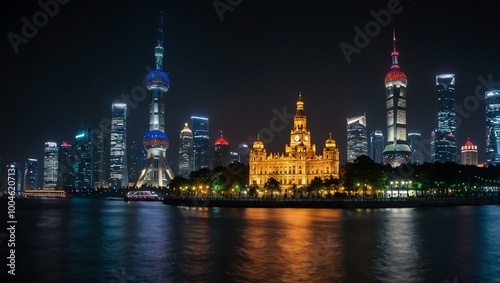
[493, 127]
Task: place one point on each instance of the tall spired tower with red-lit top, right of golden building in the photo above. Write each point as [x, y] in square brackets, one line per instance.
[396, 151]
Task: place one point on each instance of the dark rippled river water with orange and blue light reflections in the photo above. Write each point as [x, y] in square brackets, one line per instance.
[89, 240]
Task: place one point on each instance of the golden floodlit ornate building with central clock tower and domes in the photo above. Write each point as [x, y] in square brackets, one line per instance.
[299, 164]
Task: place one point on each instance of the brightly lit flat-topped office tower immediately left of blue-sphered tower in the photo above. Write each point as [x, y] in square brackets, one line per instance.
[118, 172]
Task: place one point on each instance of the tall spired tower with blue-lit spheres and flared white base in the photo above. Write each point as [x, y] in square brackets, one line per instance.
[157, 172]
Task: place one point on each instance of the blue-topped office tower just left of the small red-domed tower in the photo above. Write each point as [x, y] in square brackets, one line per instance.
[201, 145]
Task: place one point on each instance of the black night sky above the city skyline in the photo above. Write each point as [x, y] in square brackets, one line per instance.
[236, 71]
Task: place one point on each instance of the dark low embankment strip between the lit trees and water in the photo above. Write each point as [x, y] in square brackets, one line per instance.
[332, 203]
